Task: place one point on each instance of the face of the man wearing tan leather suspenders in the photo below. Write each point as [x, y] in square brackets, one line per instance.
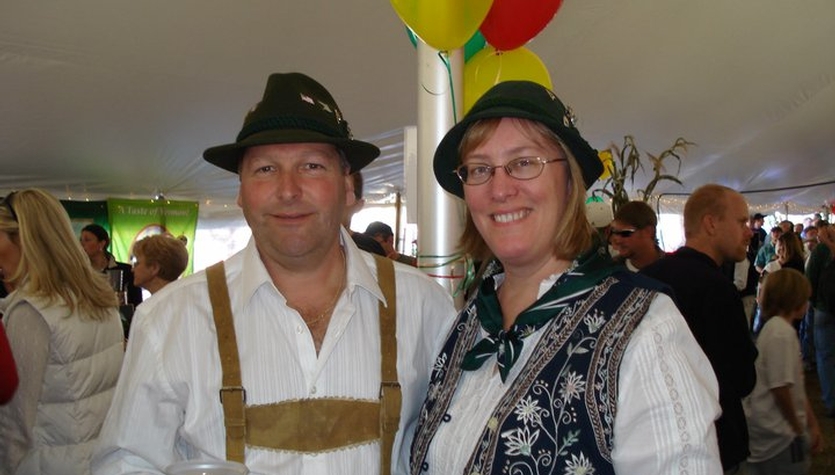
[294, 198]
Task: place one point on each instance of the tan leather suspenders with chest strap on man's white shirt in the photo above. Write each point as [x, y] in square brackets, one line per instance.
[308, 425]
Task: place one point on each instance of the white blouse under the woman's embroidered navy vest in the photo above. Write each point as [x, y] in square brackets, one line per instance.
[668, 399]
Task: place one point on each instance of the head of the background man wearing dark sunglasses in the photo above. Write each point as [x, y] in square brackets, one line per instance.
[632, 235]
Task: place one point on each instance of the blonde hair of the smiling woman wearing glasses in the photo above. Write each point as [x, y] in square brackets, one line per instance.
[576, 234]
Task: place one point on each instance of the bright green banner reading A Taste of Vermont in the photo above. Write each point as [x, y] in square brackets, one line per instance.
[132, 220]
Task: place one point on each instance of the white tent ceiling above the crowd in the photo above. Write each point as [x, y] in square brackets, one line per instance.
[118, 98]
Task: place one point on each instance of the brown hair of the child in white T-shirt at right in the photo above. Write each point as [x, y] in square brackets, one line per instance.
[783, 292]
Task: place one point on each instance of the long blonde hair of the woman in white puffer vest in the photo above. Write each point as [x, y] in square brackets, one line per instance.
[52, 264]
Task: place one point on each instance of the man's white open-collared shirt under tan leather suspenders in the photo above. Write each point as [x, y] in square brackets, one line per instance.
[166, 406]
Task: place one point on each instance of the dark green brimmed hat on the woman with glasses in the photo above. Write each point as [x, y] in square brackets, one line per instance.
[523, 100]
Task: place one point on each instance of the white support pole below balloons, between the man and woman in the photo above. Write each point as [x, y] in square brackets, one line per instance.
[440, 215]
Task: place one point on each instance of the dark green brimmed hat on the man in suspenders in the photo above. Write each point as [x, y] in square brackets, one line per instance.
[295, 109]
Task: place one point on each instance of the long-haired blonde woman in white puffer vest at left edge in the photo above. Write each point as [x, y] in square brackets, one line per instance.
[64, 329]
